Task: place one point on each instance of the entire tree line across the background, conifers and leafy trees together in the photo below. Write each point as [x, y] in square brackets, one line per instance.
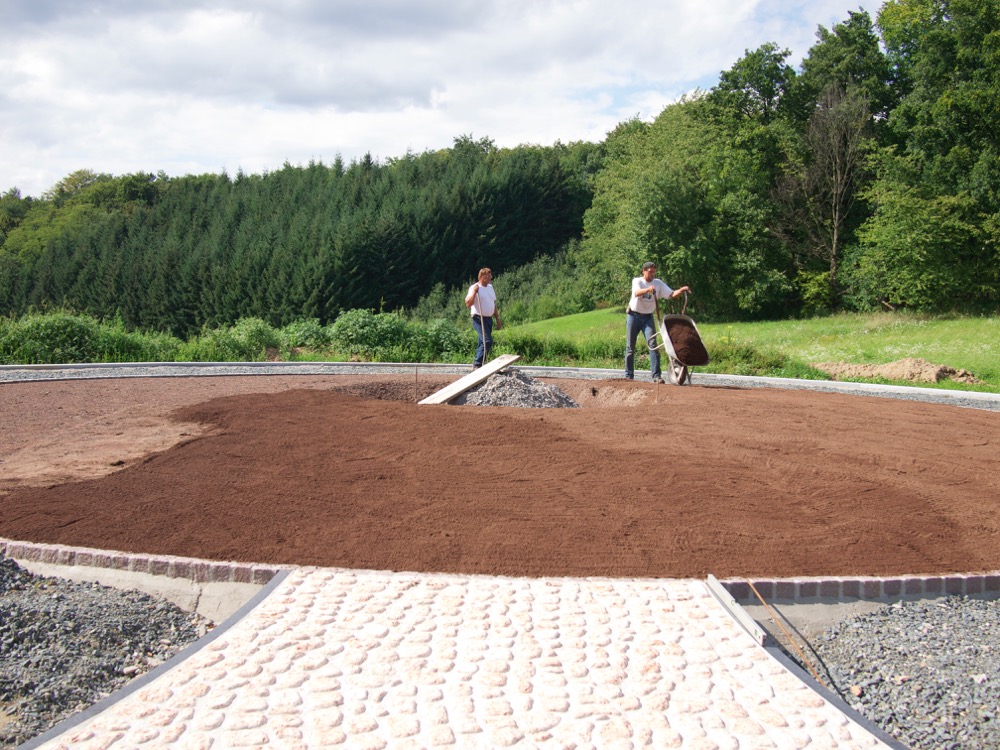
[865, 178]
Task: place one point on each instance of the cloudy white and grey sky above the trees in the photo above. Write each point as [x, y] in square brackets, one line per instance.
[190, 87]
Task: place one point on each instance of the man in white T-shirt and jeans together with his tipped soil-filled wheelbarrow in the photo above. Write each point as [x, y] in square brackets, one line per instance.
[642, 315]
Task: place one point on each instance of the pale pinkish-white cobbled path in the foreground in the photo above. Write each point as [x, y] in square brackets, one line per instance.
[359, 659]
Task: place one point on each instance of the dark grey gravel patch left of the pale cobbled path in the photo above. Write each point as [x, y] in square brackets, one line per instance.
[66, 645]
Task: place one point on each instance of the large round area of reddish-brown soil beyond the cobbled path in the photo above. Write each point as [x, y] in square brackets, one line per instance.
[644, 480]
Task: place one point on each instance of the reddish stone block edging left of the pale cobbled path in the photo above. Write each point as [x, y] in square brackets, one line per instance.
[191, 569]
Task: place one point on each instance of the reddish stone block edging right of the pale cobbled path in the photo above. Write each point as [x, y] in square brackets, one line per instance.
[868, 588]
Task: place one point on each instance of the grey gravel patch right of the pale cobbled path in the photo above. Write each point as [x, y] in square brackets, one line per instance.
[927, 673]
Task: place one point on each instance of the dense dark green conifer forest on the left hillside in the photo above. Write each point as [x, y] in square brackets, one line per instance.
[299, 243]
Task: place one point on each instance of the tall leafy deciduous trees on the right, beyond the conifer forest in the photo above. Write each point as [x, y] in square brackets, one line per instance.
[868, 178]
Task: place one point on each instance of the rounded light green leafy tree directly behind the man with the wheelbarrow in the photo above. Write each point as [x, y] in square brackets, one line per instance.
[684, 194]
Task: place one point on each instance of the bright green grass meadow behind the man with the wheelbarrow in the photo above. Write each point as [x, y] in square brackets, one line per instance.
[786, 348]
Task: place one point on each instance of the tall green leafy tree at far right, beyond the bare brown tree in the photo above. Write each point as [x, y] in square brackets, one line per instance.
[937, 191]
